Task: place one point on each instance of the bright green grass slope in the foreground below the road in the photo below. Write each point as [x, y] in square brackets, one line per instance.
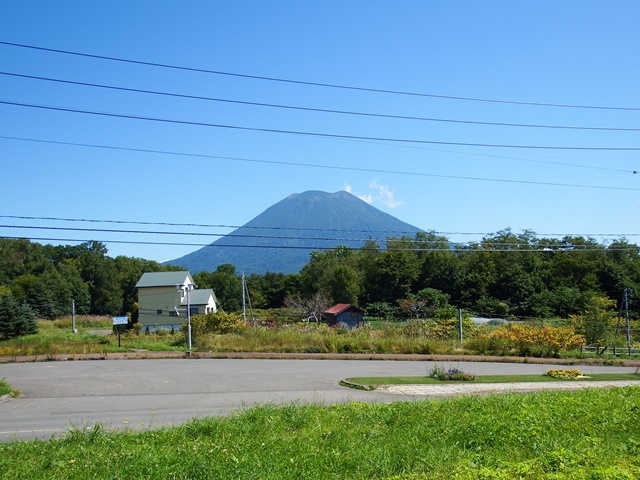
[590, 434]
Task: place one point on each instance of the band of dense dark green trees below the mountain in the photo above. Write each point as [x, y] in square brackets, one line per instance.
[506, 274]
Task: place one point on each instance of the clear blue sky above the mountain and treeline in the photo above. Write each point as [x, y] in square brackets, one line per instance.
[579, 53]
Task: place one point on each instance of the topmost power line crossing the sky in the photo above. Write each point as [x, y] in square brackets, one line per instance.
[314, 84]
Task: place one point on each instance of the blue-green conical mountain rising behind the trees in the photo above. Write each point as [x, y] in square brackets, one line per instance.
[281, 238]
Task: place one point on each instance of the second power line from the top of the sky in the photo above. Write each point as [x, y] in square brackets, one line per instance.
[319, 110]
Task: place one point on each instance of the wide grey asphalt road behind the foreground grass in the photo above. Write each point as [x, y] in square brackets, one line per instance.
[143, 393]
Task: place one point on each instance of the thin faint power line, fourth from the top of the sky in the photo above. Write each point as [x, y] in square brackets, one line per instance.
[315, 165]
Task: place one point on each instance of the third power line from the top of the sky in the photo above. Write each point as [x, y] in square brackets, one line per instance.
[312, 134]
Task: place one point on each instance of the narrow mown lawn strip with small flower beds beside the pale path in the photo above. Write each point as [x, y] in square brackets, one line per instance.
[375, 381]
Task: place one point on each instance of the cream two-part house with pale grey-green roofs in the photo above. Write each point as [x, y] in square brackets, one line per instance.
[163, 297]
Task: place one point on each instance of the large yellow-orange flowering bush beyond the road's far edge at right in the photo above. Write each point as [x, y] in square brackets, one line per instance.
[530, 340]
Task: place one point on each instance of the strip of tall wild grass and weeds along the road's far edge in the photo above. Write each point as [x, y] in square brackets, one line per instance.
[95, 336]
